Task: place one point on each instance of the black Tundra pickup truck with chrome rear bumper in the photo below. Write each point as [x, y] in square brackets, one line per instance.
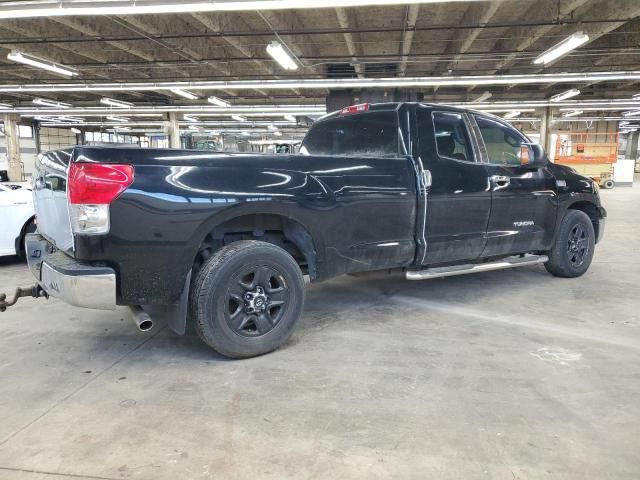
[222, 241]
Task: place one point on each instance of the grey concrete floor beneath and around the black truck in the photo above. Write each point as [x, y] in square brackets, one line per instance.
[503, 375]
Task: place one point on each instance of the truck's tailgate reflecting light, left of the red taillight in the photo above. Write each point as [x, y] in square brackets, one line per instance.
[50, 198]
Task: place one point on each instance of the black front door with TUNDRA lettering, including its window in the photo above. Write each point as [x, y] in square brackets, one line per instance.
[523, 210]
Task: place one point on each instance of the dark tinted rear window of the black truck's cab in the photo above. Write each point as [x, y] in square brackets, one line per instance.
[372, 134]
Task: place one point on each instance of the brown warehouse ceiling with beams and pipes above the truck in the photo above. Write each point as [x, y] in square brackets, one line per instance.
[443, 39]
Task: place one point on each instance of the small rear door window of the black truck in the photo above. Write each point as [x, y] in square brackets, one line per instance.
[452, 139]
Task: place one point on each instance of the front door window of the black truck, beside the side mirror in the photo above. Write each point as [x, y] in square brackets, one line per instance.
[502, 143]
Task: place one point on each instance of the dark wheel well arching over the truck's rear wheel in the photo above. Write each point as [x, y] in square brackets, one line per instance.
[275, 229]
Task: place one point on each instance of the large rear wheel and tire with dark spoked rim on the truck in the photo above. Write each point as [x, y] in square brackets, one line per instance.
[246, 299]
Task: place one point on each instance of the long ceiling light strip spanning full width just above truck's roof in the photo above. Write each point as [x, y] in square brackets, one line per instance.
[326, 83]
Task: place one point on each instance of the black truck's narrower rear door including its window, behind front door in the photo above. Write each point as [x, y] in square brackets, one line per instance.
[459, 197]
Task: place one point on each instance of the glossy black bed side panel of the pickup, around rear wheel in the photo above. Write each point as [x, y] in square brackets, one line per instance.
[359, 211]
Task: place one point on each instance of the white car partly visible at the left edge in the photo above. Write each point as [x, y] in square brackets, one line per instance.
[16, 217]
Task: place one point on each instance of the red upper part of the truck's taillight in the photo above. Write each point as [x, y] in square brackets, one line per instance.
[97, 183]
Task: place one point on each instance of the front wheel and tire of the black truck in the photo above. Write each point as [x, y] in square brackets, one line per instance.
[574, 246]
